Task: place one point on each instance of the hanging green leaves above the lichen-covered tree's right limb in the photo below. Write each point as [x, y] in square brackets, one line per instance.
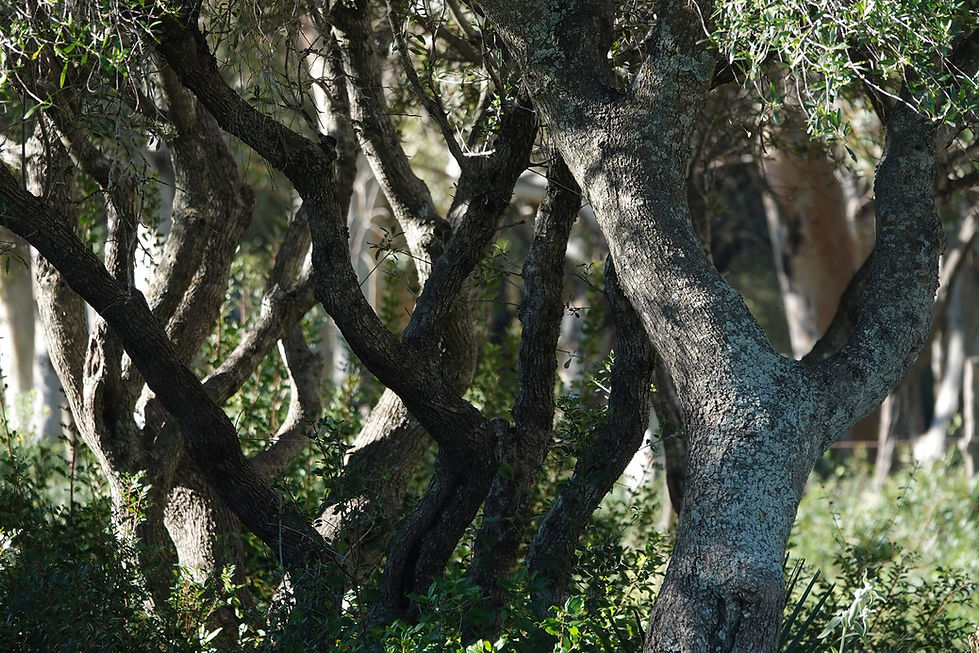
[830, 48]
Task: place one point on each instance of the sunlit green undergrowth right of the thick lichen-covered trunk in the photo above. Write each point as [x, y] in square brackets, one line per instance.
[882, 587]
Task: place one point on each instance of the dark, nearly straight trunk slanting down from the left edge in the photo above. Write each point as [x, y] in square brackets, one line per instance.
[209, 436]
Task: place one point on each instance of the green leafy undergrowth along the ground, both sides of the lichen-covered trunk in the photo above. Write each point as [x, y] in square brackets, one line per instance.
[64, 584]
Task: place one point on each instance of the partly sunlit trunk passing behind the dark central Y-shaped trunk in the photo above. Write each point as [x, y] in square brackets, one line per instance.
[388, 448]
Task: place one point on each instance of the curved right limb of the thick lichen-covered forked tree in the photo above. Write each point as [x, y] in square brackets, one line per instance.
[895, 313]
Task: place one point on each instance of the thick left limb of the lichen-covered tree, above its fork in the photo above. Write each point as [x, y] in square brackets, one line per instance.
[630, 154]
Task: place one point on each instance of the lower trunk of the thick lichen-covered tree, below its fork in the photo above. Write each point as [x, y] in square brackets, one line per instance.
[724, 588]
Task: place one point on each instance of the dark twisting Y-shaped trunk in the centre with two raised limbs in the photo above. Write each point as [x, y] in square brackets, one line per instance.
[466, 439]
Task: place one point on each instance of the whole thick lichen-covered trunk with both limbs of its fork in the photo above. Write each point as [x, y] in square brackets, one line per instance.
[746, 408]
